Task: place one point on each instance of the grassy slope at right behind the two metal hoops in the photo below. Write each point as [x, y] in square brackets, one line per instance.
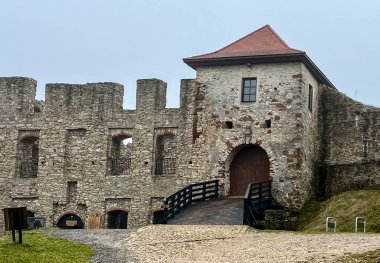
[345, 207]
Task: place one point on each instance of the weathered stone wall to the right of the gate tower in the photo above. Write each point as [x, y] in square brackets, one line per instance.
[350, 152]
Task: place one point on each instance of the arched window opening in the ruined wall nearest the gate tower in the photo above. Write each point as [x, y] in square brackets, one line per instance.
[166, 148]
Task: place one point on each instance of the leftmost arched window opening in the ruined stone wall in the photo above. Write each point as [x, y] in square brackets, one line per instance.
[28, 157]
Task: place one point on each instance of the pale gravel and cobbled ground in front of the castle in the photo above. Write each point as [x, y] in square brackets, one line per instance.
[205, 243]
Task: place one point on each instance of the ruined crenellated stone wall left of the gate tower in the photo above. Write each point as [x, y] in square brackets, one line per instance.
[75, 127]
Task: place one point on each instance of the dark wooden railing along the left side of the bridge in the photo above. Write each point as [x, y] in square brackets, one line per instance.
[188, 195]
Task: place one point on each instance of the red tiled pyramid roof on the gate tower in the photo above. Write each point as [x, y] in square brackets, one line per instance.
[263, 41]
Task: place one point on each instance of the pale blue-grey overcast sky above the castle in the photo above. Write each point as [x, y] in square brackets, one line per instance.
[80, 41]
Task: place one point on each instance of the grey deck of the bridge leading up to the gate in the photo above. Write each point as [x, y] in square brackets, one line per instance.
[224, 211]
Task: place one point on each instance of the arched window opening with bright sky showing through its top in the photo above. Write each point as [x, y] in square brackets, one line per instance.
[121, 155]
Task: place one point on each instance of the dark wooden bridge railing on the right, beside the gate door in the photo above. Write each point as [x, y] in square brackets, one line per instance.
[258, 197]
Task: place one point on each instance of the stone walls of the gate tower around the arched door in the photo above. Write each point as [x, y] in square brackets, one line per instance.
[282, 98]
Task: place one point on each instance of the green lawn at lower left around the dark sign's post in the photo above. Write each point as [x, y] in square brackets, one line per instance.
[40, 248]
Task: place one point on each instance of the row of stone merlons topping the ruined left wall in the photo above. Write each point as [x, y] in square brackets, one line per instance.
[103, 98]
